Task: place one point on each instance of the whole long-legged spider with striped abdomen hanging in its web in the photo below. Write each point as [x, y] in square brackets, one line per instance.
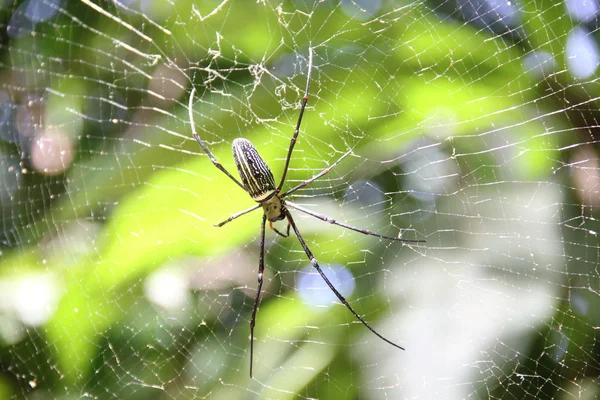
[257, 180]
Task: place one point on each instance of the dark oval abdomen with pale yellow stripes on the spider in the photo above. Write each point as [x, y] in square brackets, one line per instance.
[256, 175]
